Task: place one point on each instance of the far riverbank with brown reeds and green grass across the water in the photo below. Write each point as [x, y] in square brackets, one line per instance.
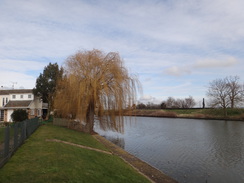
[213, 114]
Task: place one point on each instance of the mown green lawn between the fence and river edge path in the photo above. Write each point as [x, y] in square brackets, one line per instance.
[41, 161]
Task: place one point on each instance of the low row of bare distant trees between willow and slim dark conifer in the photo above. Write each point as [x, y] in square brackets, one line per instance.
[170, 103]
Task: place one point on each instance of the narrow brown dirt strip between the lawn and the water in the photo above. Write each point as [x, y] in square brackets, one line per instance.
[150, 172]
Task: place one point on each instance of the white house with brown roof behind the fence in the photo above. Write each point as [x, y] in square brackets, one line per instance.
[11, 100]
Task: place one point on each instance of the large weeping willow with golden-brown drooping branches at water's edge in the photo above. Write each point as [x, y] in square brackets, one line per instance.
[96, 84]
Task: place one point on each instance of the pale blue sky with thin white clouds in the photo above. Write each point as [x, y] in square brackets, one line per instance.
[174, 47]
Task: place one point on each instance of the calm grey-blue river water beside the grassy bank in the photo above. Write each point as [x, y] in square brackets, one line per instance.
[188, 150]
